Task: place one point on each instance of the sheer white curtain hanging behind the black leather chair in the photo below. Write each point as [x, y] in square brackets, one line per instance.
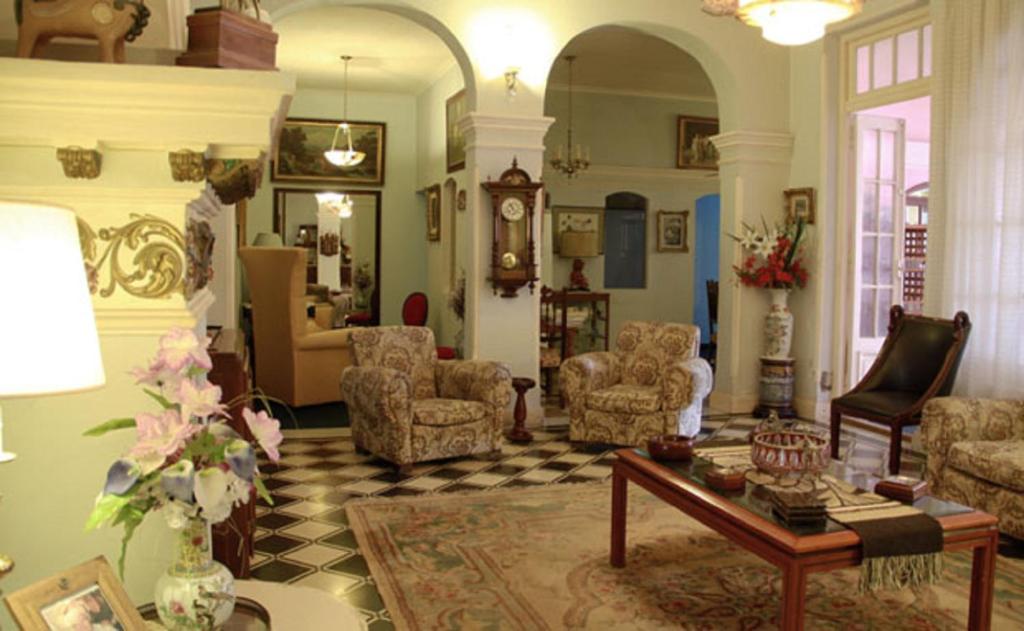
[977, 191]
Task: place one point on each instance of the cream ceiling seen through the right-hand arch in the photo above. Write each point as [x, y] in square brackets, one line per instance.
[621, 60]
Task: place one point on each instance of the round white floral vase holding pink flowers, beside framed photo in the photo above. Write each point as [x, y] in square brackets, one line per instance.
[196, 594]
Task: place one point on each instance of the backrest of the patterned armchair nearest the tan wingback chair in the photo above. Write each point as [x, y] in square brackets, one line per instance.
[408, 350]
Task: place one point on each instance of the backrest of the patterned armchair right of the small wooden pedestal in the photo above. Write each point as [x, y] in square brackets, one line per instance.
[647, 349]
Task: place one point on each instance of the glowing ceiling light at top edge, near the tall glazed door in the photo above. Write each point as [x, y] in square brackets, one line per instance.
[790, 23]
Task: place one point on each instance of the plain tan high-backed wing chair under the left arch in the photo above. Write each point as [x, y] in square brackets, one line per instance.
[296, 361]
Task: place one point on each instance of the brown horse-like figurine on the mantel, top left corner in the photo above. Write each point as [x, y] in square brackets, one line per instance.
[112, 23]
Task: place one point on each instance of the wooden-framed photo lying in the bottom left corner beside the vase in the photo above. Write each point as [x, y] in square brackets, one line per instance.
[88, 597]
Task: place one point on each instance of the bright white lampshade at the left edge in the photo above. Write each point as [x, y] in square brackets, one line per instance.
[48, 328]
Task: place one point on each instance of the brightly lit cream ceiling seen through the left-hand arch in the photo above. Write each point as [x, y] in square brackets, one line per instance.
[390, 54]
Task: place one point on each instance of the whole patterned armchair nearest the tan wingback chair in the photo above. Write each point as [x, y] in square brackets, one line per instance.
[407, 407]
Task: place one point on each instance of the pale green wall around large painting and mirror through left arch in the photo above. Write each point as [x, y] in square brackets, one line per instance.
[403, 220]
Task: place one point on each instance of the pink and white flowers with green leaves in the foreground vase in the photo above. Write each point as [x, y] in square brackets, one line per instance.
[187, 461]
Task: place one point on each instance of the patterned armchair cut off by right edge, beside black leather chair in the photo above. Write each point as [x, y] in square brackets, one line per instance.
[975, 450]
